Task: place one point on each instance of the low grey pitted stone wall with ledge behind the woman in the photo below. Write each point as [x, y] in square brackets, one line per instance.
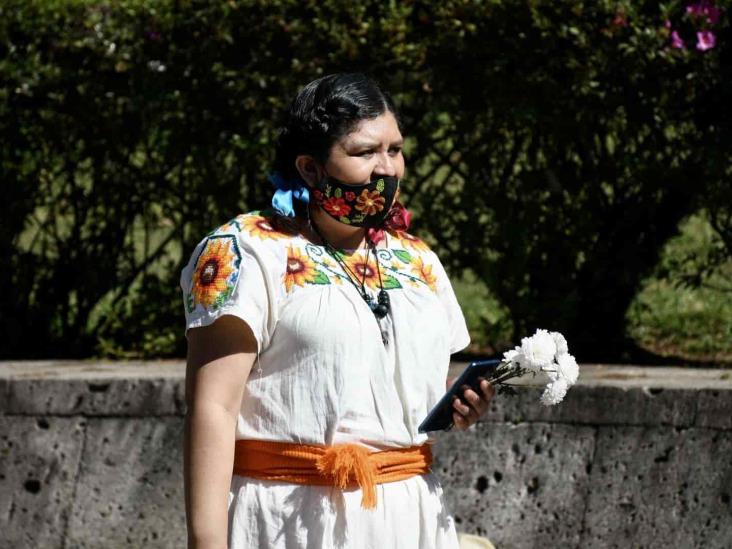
[90, 457]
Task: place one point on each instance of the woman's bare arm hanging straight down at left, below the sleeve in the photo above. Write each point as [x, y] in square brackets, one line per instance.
[220, 358]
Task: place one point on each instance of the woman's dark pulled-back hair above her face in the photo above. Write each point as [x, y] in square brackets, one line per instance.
[324, 111]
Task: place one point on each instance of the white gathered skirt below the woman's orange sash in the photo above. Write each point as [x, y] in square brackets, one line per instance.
[410, 514]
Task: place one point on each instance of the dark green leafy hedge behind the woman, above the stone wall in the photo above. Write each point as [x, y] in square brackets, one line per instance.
[553, 149]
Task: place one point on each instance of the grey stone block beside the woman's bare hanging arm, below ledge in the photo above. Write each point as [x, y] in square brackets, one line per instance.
[130, 485]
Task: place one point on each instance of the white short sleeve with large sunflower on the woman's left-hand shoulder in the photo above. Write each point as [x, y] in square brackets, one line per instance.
[226, 275]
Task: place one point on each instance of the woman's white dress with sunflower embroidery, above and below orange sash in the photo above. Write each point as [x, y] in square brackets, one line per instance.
[325, 376]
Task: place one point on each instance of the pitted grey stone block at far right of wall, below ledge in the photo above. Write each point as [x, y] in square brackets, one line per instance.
[660, 488]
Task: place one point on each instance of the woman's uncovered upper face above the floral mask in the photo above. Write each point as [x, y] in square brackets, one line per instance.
[374, 148]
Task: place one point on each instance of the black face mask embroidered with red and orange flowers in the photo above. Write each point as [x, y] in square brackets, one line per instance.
[357, 205]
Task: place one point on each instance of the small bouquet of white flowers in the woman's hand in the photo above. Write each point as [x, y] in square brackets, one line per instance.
[543, 353]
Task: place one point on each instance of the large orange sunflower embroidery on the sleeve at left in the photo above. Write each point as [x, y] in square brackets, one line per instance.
[216, 272]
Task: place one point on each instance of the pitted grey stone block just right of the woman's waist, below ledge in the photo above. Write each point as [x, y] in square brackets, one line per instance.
[519, 485]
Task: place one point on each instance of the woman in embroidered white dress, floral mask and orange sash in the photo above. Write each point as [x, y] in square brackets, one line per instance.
[319, 337]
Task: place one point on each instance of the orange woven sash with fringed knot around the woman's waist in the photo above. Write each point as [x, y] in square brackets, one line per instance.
[343, 466]
